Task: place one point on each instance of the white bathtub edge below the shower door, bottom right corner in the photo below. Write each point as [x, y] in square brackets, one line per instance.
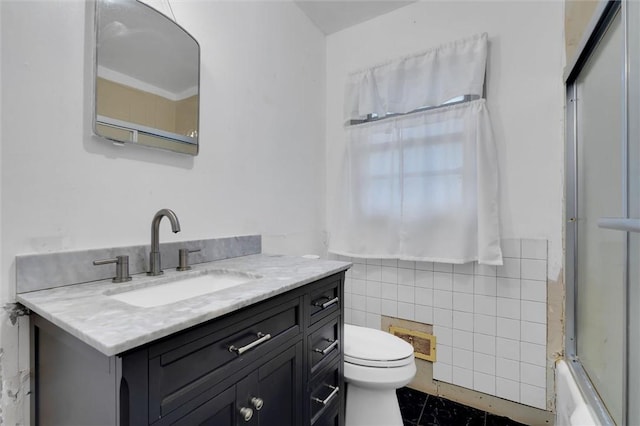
[571, 406]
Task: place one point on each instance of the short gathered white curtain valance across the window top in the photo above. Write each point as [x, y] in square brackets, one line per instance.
[426, 79]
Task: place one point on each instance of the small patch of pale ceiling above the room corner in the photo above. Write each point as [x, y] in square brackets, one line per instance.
[331, 16]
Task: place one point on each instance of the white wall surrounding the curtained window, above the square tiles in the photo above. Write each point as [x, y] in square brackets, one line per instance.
[524, 96]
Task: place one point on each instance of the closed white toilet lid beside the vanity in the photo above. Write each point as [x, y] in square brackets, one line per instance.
[376, 348]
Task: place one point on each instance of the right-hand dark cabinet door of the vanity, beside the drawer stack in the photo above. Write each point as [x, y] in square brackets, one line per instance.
[275, 393]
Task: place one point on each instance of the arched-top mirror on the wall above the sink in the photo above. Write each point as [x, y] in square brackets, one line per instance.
[147, 78]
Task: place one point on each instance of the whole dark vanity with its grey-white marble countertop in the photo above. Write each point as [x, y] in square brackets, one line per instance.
[267, 352]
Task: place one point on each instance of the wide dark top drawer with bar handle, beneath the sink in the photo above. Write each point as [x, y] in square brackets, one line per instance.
[180, 374]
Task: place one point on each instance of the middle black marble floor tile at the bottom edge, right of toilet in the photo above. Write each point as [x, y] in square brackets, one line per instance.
[441, 412]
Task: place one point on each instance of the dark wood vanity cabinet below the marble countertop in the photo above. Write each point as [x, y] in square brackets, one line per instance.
[275, 363]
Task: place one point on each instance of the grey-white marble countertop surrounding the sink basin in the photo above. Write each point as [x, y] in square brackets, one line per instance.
[87, 312]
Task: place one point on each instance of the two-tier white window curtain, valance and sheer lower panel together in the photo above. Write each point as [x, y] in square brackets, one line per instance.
[424, 185]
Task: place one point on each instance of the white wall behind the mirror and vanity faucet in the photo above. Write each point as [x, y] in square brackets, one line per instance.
[261, 163]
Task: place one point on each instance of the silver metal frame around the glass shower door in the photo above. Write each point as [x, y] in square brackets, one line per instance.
[603, 16]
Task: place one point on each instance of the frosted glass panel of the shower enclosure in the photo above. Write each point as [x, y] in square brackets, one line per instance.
[601, 253]
